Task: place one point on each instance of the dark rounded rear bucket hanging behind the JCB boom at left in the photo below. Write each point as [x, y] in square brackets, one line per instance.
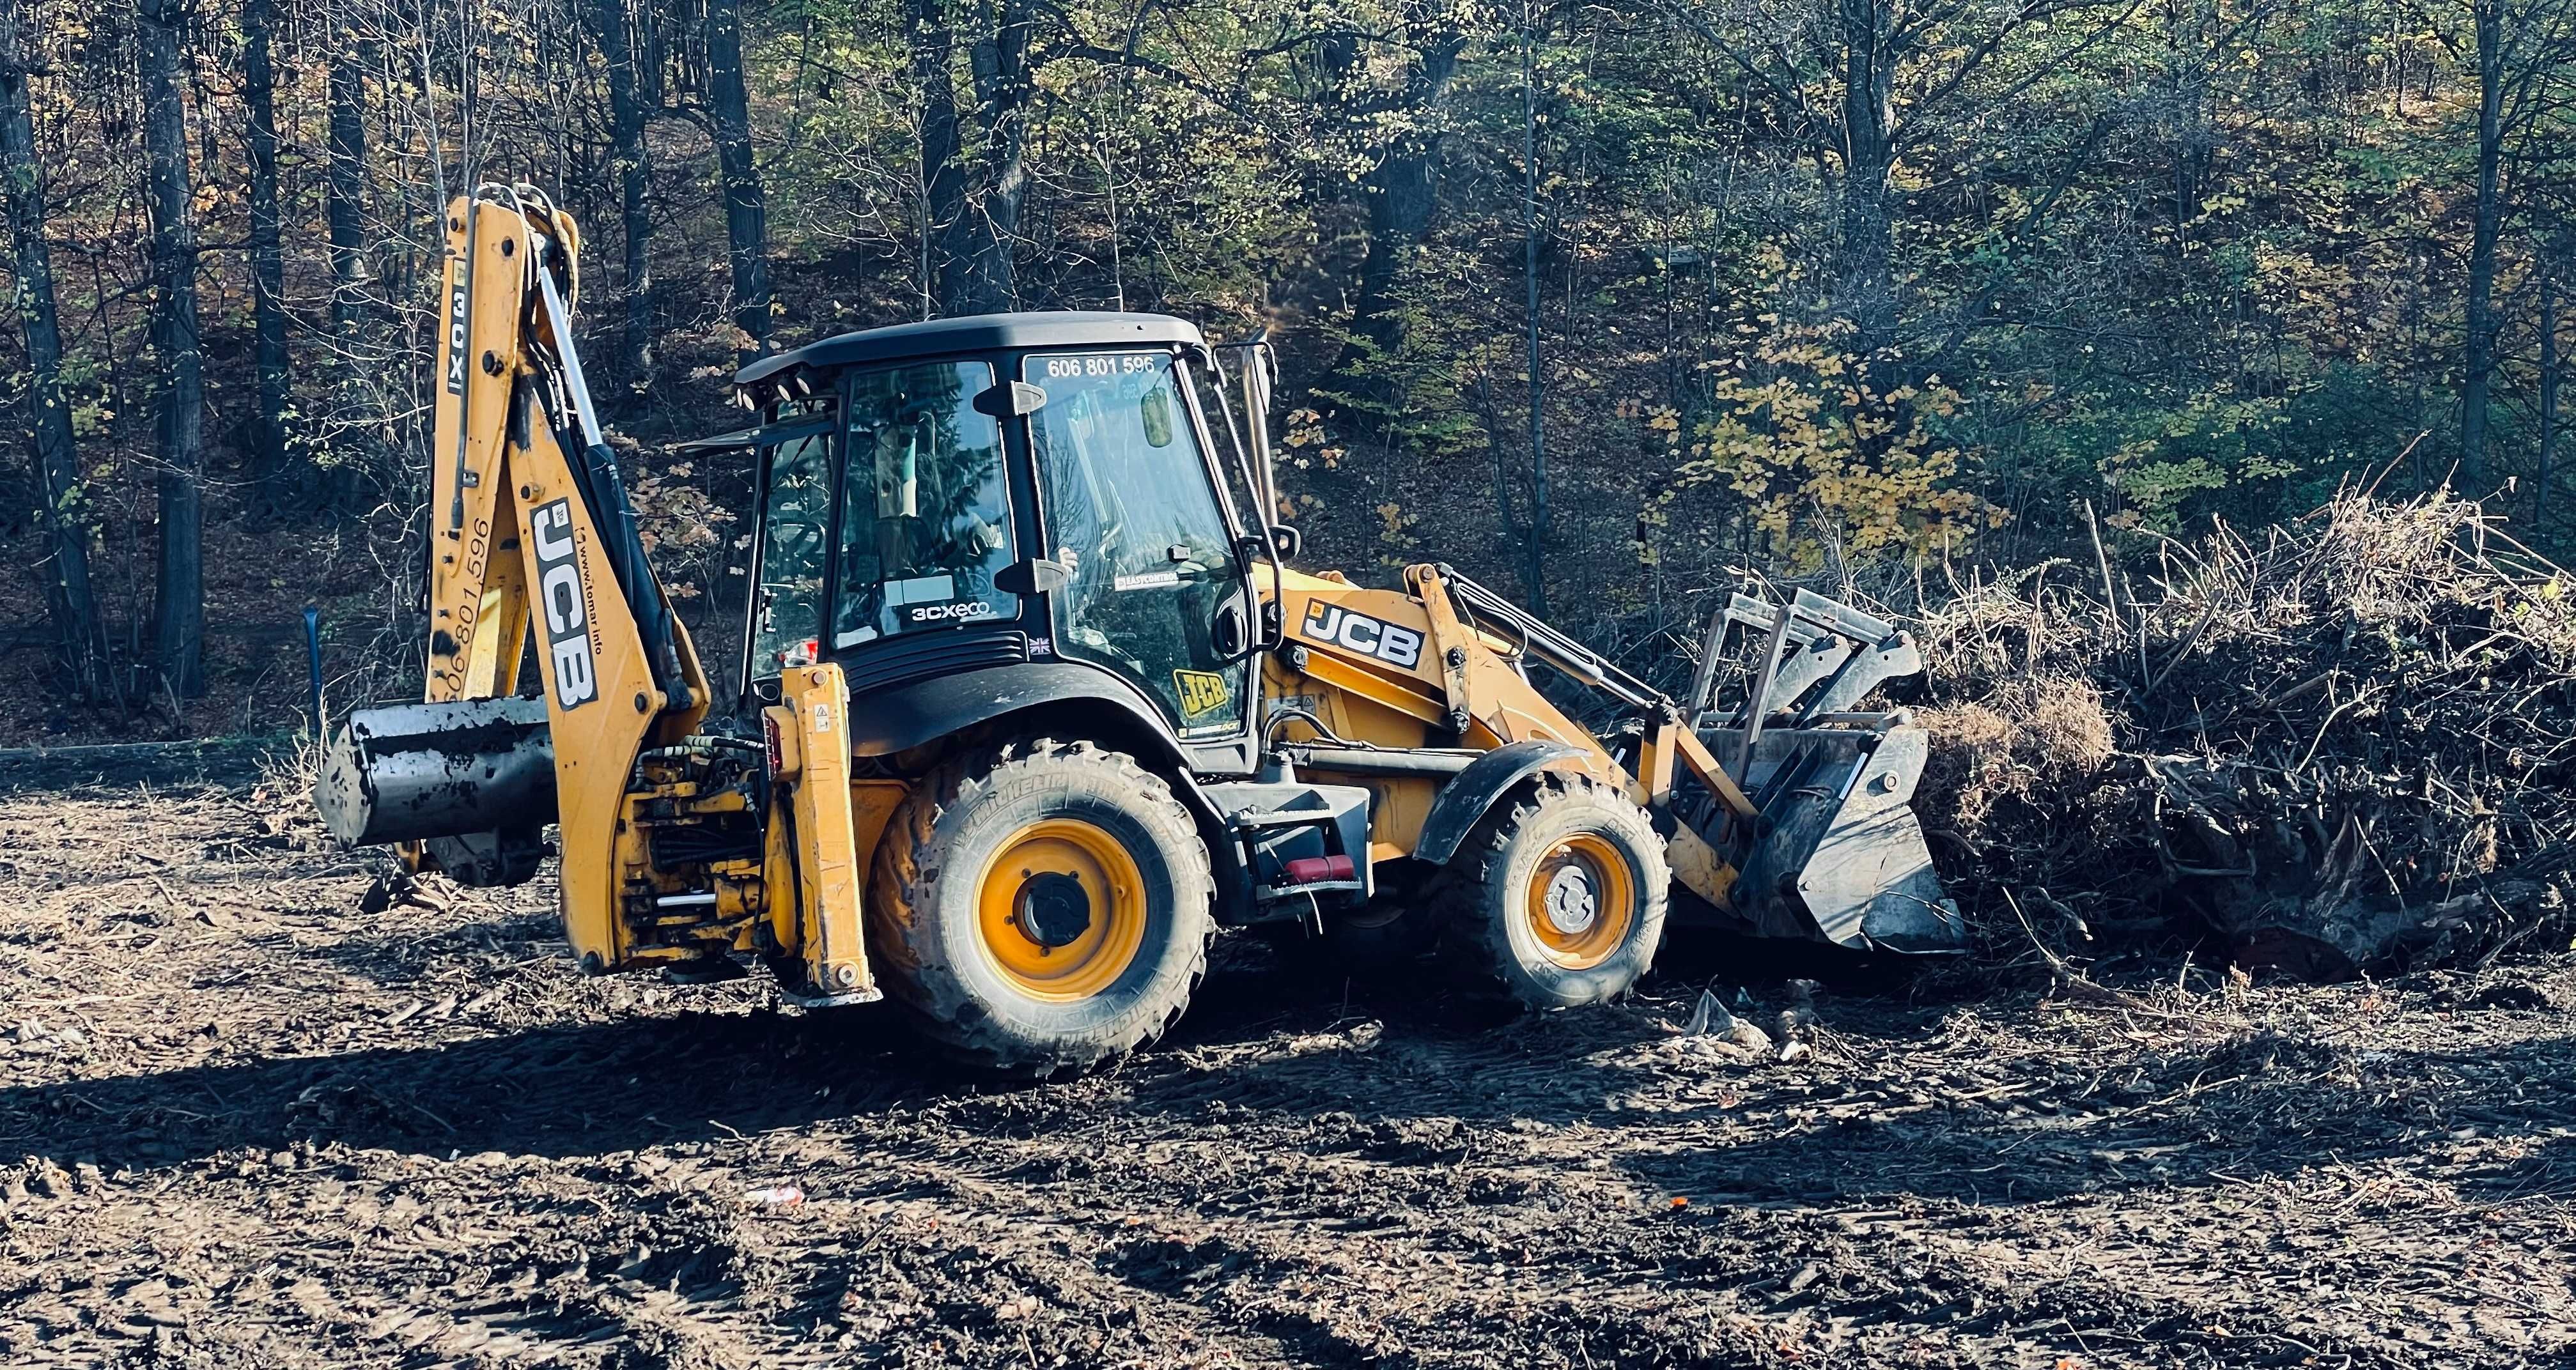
[470, 779]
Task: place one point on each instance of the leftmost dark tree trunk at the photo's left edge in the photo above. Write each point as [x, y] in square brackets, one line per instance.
[79, 635]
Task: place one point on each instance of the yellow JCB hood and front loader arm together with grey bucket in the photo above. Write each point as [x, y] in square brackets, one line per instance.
[1441, 671]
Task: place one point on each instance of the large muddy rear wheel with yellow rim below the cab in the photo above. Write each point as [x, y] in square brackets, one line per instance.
[1042, 908]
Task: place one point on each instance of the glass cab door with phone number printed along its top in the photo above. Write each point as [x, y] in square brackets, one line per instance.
[1155, 591]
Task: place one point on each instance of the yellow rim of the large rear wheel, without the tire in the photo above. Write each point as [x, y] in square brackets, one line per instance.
[1063, 910]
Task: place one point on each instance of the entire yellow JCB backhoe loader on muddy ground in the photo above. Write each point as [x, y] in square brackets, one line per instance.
[1032, 702]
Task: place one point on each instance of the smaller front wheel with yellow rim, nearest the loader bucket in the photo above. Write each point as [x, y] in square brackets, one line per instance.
[1557, 900]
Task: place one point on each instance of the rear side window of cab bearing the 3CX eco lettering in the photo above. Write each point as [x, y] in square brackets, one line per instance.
[926, 511]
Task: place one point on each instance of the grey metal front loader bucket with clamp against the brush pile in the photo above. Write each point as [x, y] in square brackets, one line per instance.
[1838, 854]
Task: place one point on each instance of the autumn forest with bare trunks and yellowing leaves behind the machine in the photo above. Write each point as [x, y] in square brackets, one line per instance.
[1609, 305]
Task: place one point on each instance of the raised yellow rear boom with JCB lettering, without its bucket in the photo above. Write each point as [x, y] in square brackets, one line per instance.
[529, 521]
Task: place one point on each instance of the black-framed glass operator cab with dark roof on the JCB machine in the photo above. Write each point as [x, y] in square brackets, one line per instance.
[996, 491]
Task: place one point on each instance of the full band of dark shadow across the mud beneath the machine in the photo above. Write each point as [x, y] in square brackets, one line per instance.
[1395, 1073]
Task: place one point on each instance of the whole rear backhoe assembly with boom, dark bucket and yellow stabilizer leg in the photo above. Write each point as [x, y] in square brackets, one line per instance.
[679, 843]
